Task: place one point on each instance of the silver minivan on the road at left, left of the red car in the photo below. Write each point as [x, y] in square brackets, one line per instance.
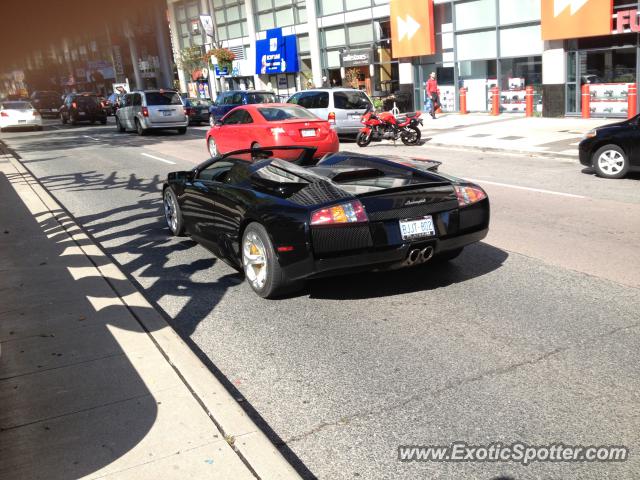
[152, 109]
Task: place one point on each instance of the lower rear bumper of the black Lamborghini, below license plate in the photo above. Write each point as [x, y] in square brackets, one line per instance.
[377, 260]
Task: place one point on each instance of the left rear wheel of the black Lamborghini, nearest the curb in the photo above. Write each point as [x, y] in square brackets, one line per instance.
[260, 263]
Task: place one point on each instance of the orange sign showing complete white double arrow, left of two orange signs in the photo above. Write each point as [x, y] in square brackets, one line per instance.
[412, 32]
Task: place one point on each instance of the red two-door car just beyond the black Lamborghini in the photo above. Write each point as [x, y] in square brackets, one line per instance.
[271, 125]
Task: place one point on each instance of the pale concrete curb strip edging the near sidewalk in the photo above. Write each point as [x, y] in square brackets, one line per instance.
[253, 447]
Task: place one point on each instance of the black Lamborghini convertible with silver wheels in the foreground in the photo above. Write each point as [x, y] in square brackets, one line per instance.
[282, 222]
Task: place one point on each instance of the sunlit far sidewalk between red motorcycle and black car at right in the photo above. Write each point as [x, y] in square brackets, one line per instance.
[509, 132]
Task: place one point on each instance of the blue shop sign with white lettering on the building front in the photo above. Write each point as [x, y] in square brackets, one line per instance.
[276, 53]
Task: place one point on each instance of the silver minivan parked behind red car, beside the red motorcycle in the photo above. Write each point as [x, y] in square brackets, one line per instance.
[342, 107]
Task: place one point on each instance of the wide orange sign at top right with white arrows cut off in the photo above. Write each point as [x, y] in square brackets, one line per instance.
[562, 19]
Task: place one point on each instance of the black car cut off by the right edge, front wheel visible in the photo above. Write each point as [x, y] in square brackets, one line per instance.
[612, 150]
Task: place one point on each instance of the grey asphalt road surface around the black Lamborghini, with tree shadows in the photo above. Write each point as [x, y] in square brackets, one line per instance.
[531, 335]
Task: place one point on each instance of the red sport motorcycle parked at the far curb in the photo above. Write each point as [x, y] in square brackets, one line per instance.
[385, 126]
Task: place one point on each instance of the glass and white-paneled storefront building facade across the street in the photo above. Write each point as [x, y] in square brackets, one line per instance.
[551, 45]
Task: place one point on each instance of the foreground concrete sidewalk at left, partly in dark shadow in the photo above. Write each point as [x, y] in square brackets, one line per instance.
[93, 382]
